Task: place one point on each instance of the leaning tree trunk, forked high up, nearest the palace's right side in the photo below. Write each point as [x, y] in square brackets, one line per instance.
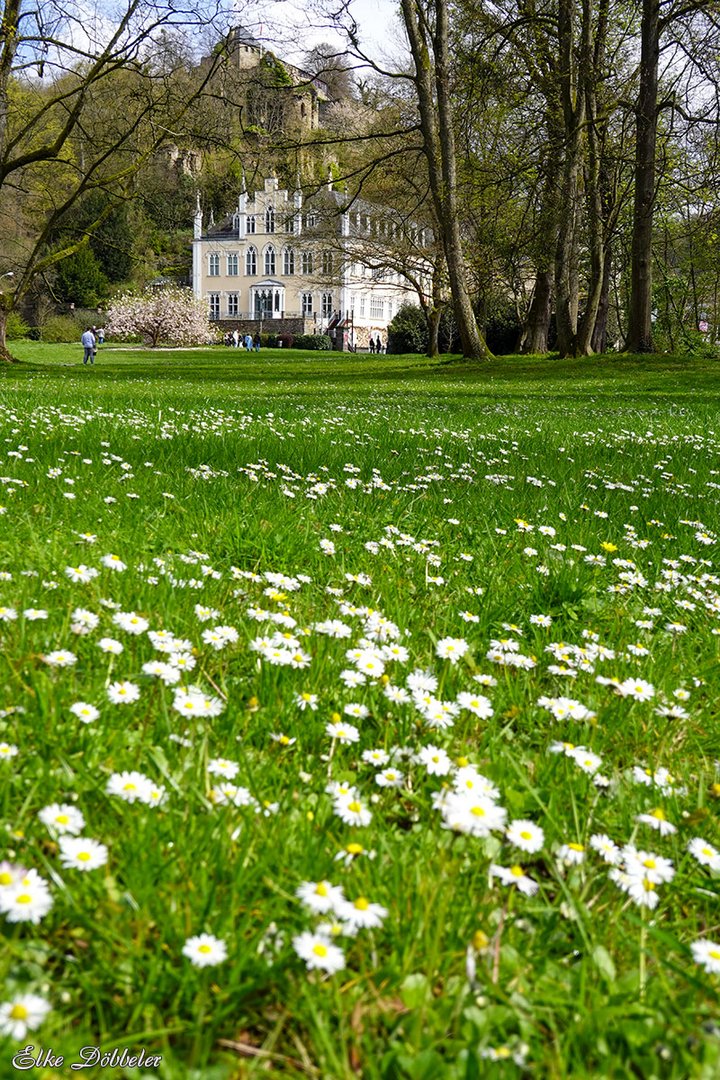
[429, 45]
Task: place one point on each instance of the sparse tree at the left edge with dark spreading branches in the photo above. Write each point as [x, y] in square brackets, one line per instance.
[84, 103]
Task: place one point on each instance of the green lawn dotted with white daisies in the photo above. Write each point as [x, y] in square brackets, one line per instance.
[399, 679]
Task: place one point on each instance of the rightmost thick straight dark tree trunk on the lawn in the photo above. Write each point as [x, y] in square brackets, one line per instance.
[640, 335]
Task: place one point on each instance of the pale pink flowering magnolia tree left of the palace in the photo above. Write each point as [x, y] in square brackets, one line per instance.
[161, 317]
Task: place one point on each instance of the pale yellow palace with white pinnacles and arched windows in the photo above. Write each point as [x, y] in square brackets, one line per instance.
[288, 264]
